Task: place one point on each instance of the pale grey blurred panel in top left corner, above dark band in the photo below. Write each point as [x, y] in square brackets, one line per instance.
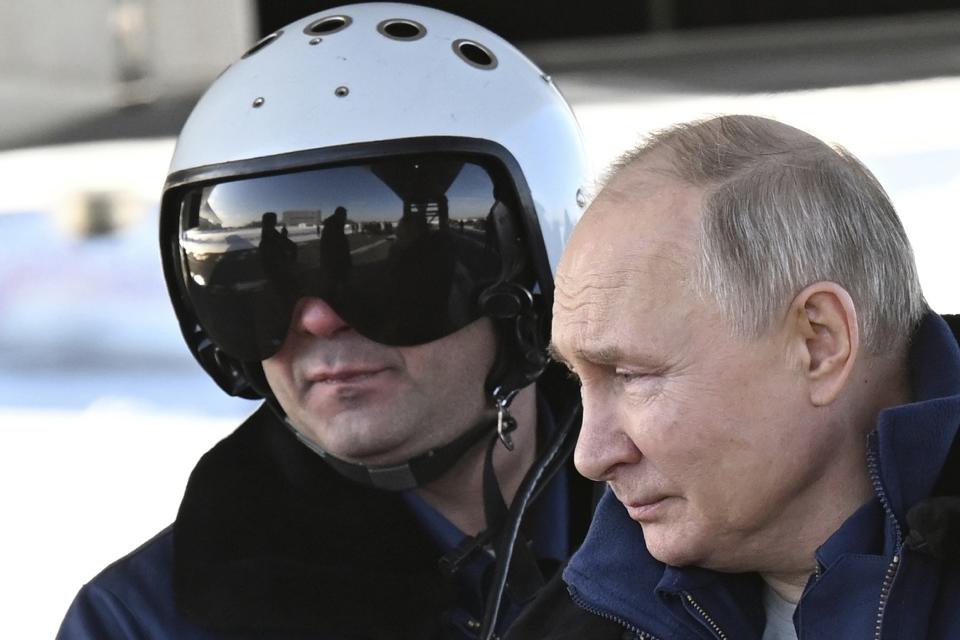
[184, 43]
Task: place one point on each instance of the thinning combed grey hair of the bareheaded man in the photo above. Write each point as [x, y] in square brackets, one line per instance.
[783, 210]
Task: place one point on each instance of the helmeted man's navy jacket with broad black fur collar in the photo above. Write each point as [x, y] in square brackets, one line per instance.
[271, 543]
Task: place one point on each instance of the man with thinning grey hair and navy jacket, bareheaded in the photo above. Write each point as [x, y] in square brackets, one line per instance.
[765, 393]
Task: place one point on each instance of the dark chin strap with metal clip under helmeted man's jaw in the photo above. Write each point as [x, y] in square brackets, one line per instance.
[421, 469]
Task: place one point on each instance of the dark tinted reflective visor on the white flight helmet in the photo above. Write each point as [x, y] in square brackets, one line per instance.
[401, 248]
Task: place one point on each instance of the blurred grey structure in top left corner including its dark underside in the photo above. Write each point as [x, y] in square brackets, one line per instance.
[63, 64]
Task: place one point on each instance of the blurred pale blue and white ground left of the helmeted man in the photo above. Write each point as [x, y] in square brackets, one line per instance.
[102, 411]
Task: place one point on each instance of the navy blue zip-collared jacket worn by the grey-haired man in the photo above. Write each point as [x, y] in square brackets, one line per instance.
[869, 584]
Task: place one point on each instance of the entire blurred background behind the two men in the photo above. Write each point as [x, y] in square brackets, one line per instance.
[103, 413]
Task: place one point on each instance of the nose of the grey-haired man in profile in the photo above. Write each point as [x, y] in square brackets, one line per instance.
[603, 443]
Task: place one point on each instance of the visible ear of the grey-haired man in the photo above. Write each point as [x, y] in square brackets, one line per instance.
[828, 336]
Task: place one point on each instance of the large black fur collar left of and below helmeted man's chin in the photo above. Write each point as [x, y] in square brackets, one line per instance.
[268, 538]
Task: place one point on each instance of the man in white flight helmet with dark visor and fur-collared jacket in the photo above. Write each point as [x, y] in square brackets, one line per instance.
[359, 226]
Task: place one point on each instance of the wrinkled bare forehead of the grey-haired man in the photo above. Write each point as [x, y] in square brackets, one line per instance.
[630, 257]
